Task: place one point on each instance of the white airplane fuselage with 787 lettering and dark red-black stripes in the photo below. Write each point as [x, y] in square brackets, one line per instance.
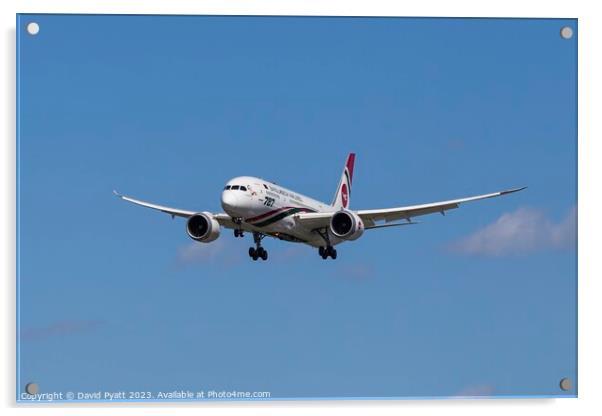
[269, 209]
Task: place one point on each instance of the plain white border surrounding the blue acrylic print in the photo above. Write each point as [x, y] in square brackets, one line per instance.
[590, 135]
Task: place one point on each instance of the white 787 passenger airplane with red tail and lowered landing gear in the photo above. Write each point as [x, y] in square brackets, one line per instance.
[265, 209]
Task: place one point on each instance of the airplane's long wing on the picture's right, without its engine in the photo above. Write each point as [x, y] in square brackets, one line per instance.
[370, 216]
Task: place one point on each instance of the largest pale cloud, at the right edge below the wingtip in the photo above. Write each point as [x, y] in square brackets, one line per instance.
[522, 231]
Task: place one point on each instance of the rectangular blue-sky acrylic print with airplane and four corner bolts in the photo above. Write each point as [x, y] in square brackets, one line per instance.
[116, 302]
